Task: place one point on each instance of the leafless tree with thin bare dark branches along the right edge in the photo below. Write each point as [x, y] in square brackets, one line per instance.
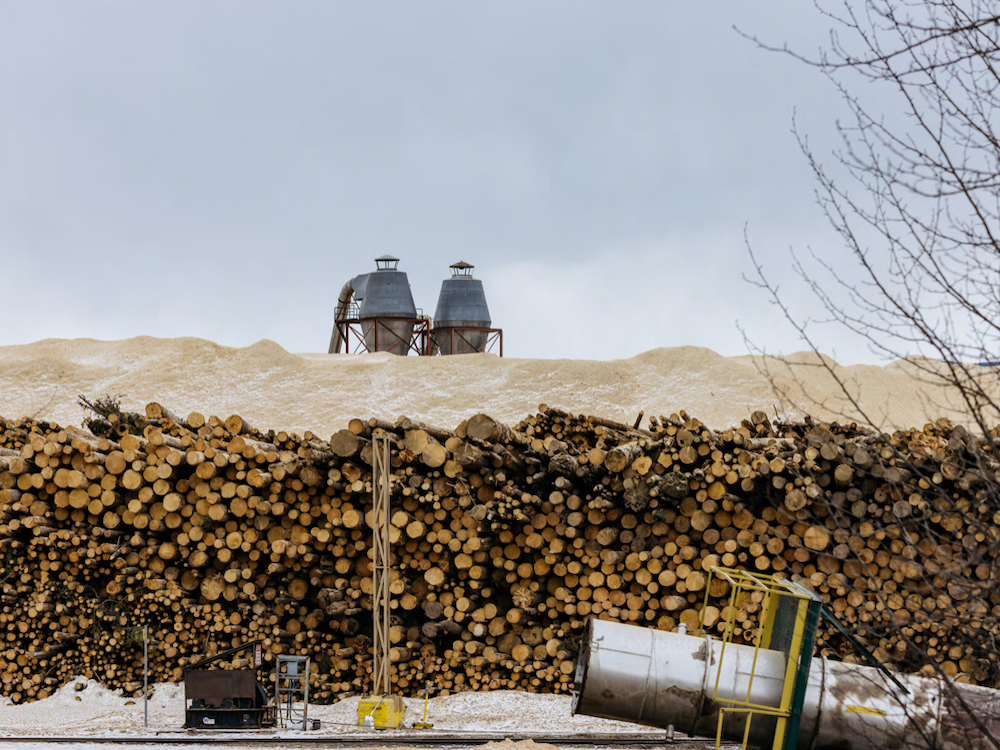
[913, 192]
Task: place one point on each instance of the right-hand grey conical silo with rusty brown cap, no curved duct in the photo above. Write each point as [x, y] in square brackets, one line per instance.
[460, 311]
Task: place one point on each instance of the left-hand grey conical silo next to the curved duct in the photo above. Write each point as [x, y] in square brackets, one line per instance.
[381, 296]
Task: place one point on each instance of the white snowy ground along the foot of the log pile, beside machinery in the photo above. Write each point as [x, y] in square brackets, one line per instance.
[96, 711]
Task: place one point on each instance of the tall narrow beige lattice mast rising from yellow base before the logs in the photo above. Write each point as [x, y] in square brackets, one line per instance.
[382, 684]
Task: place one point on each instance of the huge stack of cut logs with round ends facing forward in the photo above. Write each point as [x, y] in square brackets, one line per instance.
[504, 540]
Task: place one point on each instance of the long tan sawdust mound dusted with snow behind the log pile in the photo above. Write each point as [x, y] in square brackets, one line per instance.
[321, 392]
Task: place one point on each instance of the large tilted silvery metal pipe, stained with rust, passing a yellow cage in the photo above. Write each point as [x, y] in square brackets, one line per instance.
[646, 676]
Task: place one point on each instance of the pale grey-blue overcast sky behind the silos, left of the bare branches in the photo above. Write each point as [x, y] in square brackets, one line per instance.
[220, 169]
